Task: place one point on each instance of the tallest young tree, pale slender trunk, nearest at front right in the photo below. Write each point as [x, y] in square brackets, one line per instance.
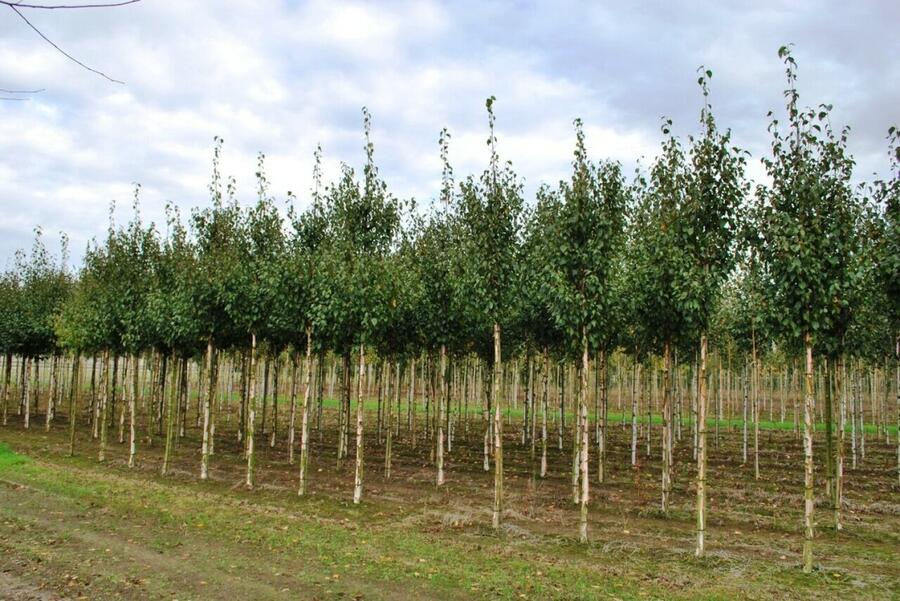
[808, 174]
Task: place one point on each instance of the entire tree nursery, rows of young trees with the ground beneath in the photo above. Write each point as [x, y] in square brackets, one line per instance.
[683, 384]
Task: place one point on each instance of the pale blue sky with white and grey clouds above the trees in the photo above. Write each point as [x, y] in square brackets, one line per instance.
[280, 76]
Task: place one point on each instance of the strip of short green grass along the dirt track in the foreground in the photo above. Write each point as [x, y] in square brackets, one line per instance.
[359, 542]
